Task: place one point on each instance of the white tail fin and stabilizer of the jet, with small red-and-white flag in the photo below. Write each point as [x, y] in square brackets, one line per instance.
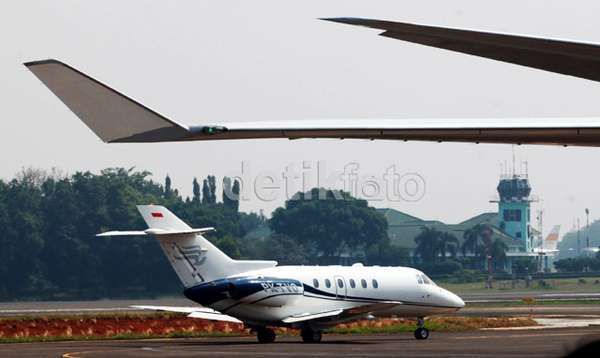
[193, 257]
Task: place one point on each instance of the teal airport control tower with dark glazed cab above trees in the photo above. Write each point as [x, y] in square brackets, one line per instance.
[514, 209]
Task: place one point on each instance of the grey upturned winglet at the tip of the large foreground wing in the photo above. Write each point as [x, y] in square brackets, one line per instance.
[111, 115]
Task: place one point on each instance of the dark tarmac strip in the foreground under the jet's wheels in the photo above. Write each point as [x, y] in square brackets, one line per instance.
[524, 343]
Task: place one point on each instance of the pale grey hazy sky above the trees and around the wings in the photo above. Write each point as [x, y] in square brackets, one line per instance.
[211, 61]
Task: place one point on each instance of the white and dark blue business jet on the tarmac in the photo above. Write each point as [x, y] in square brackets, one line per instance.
[261, 294]
